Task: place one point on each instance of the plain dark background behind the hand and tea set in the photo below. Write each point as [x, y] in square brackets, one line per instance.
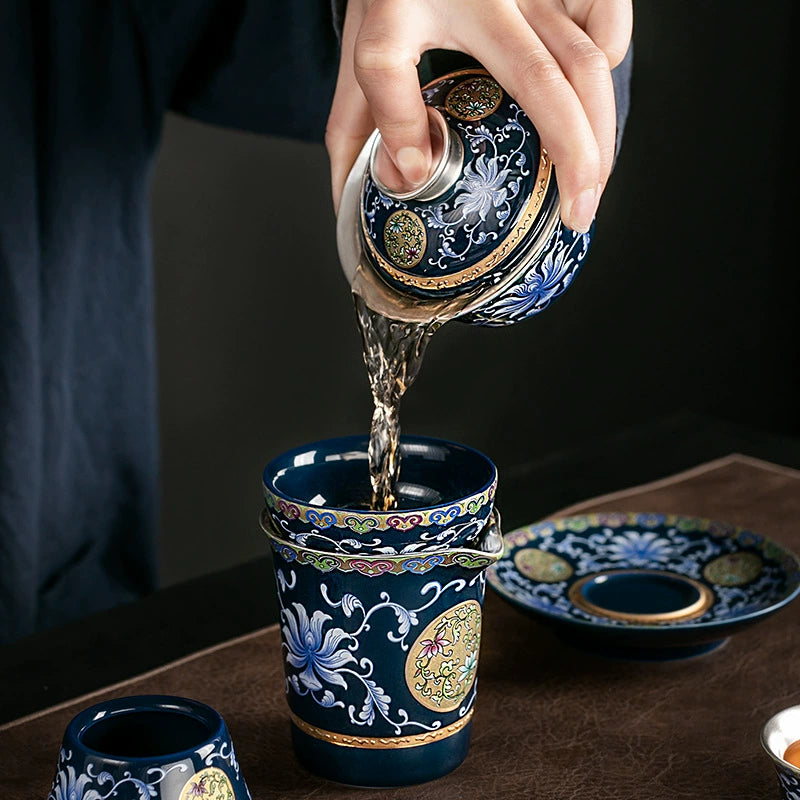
[688, 301]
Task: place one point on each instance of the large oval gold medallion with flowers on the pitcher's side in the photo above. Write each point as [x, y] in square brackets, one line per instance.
[441, 665]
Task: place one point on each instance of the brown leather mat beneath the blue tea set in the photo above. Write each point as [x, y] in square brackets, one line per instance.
[551, 722]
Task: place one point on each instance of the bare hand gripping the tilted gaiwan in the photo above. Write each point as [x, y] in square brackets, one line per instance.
[553, 56]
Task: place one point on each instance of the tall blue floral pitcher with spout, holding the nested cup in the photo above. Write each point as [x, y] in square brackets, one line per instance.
[380, 657]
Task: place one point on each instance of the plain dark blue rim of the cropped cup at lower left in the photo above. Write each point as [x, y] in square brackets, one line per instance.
[172, 704]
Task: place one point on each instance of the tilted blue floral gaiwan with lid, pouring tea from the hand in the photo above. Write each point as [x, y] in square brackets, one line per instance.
[482, 240]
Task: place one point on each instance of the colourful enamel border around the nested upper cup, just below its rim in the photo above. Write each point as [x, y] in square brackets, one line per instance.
[368, 522]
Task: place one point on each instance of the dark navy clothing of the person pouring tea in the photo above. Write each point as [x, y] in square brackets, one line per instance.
[84, 87]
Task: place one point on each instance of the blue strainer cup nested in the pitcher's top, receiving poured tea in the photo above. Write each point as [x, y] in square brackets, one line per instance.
[318, 497]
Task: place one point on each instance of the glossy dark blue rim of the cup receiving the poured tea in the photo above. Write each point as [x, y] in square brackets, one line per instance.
[269, 483]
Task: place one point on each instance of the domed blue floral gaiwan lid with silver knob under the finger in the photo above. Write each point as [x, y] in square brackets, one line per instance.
[491, 196]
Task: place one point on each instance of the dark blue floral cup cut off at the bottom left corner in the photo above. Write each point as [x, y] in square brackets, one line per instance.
[152, 746]
